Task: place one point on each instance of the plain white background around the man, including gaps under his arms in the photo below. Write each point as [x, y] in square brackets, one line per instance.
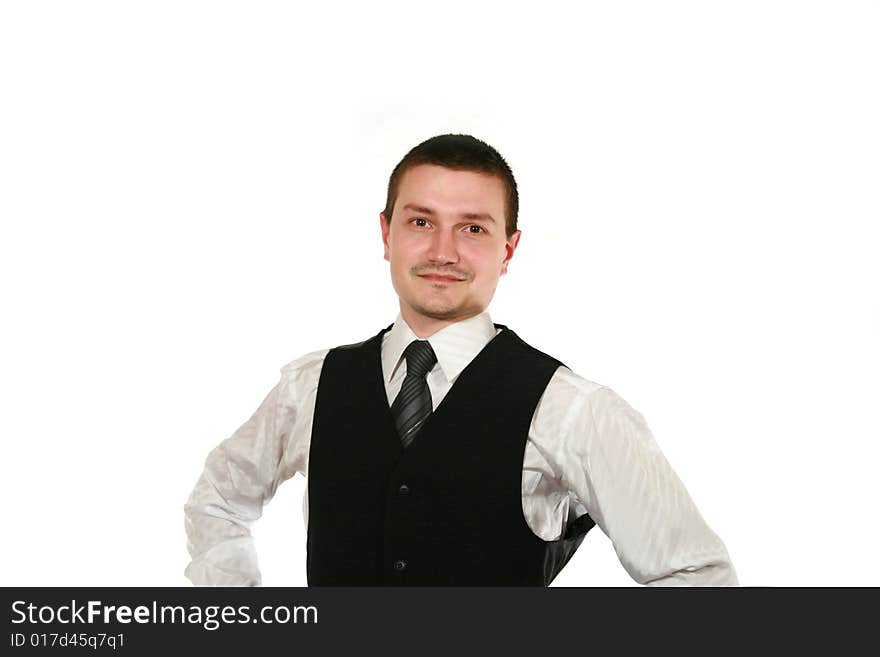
[189, 196]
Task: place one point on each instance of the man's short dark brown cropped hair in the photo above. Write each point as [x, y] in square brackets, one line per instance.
[464, 153]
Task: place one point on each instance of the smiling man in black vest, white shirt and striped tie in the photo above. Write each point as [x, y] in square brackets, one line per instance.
[445, 450]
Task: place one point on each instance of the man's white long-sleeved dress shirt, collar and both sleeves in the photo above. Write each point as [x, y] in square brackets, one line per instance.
[587, 451]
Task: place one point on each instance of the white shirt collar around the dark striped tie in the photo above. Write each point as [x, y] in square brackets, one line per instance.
[455, 345]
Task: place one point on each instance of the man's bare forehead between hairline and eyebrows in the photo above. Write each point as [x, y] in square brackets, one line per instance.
[451, 190]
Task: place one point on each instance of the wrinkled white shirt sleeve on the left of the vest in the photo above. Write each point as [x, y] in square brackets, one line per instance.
[242, 474]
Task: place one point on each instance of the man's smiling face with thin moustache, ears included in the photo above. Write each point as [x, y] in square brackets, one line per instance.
[446, 241]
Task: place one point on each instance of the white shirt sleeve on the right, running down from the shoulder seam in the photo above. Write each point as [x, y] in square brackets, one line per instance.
[621, 477]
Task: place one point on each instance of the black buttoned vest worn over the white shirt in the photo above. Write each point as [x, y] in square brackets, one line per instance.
[445, 511]
